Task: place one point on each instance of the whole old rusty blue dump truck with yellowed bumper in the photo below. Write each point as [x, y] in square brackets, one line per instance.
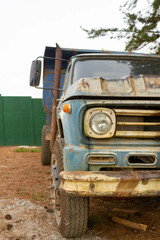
[102, 133]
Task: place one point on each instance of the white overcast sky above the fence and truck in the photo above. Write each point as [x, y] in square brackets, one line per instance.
[27, 26]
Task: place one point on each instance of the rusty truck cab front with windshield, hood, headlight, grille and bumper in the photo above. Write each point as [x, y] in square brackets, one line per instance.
[112, 130]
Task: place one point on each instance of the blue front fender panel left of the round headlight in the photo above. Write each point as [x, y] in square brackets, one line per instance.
[76, 144]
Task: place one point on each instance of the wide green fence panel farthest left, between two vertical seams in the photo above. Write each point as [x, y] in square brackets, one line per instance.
[18, 121]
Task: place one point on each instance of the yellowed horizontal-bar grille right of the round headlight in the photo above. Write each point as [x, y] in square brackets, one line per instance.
[138, 123]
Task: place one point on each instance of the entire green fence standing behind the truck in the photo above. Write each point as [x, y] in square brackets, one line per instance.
[21, 121]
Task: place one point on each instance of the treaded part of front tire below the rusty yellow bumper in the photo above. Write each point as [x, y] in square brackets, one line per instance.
[72, 215]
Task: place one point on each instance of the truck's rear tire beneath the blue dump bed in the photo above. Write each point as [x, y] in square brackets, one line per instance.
[45, 151]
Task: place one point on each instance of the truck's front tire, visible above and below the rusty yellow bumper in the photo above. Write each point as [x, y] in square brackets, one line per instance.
[71, 212]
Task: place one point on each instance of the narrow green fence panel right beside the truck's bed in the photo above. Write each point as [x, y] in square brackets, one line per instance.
[39, 120]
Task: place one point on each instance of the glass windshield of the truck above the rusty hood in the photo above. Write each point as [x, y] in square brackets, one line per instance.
[114, 69]
